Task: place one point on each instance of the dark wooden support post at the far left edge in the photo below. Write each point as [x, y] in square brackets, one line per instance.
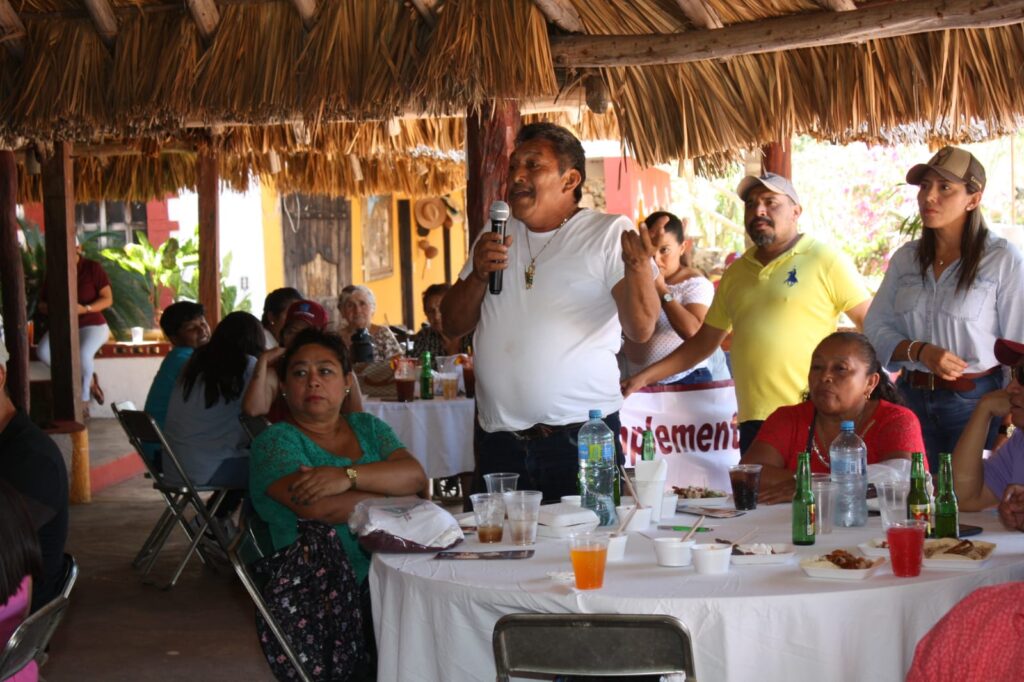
[13, 284]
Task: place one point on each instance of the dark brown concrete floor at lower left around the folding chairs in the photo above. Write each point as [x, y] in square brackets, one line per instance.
[118, 629]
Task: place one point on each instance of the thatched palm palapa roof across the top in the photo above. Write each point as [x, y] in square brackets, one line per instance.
[362, 97]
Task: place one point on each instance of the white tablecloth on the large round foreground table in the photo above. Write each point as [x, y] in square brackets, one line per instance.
[435, 619]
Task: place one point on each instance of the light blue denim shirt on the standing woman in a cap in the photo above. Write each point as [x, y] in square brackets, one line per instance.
[966, 323]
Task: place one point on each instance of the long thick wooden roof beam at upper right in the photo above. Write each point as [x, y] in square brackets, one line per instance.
[785, 33]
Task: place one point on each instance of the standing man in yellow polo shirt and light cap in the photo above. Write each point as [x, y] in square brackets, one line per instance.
[783, 297]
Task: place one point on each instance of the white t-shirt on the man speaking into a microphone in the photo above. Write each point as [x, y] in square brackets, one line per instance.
[547, 356]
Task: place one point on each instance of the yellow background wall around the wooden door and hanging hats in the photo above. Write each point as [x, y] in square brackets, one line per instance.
[388, 291]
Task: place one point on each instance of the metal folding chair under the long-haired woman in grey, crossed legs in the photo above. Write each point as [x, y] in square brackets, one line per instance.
[145, 434]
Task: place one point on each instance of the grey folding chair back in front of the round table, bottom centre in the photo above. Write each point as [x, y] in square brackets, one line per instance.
[592, 645]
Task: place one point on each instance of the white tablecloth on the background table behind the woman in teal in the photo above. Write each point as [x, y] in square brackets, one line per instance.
[439, 434]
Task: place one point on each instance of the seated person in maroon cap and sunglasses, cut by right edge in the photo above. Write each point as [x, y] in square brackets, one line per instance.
[982, 484]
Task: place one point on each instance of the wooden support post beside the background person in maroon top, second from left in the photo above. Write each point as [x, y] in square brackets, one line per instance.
[62, 284]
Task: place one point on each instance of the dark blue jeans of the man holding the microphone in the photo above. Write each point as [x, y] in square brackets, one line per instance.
[549, 465]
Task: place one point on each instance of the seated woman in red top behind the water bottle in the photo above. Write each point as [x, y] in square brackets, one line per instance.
[847, 383]
